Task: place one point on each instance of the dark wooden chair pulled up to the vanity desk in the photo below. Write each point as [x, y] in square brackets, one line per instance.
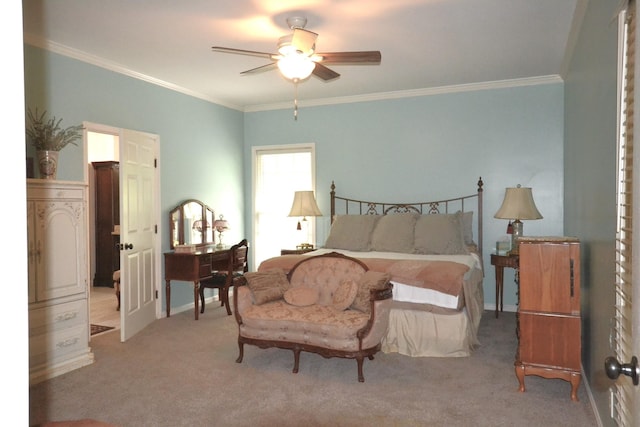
[222, 280]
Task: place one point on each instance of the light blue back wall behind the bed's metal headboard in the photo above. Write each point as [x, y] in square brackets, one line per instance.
[415, 149]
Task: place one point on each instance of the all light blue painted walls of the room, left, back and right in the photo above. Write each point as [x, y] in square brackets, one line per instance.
[405, 149]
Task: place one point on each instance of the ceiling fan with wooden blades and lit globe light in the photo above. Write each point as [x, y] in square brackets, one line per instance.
[297, 58]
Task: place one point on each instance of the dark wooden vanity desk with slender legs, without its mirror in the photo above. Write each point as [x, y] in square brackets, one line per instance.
[193, 267]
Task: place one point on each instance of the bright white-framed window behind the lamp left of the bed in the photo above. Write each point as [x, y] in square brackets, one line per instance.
[278, 173]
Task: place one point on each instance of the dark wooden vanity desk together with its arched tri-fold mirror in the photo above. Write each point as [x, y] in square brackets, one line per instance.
[194, 256]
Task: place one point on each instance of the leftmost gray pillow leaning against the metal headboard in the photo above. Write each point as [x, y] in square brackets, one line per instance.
[351, 232]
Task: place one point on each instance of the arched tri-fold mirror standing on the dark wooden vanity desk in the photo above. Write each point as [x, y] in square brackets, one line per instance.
[191, 223]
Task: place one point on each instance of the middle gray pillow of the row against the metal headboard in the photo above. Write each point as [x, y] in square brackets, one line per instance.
[394, 233]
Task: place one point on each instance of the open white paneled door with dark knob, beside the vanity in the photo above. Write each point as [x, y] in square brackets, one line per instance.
[138, 177]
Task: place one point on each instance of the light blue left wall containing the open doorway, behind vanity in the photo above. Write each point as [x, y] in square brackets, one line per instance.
[200, 142]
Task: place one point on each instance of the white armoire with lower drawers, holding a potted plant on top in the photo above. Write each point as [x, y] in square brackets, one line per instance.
[58, 278]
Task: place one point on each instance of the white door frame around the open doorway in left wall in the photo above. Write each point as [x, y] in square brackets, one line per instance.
[110, 130]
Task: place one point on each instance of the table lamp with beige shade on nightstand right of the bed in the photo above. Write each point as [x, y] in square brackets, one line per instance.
[518, 204]
